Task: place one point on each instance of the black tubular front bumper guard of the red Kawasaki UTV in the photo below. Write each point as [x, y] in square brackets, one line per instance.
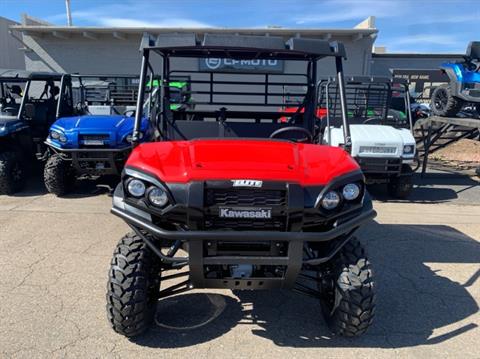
[291, 261]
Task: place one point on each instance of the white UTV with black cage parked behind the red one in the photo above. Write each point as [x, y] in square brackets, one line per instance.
[381, 135]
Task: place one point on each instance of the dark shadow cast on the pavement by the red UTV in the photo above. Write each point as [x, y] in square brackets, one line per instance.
[414, 300]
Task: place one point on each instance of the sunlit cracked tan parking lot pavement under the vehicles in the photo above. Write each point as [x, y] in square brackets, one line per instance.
[55, 253]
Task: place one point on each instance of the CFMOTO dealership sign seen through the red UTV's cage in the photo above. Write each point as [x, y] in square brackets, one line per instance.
[252, 65]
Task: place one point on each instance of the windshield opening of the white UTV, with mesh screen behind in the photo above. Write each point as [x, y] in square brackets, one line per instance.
[368, 103]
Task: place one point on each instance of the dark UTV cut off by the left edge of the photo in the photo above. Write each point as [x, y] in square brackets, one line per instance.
[29, 104]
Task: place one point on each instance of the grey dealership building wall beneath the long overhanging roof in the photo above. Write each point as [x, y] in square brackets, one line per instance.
[109, 55]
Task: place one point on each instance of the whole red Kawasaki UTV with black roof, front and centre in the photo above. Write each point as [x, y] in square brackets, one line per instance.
[242, 199]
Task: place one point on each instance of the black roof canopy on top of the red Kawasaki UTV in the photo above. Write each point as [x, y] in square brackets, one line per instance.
[241, 46]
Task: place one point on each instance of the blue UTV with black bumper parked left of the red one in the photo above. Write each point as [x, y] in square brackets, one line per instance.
[97, 140]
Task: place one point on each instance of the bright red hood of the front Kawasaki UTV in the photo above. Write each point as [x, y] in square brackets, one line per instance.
[268, 160]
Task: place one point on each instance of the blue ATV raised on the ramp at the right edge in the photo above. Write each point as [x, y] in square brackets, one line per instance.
[463, 89]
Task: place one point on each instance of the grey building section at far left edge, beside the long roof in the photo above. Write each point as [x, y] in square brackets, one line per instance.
[10, 55]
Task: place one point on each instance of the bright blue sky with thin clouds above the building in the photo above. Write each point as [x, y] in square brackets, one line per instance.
[439, 26]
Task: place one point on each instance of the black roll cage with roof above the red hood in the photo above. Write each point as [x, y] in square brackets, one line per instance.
[227, 104]
